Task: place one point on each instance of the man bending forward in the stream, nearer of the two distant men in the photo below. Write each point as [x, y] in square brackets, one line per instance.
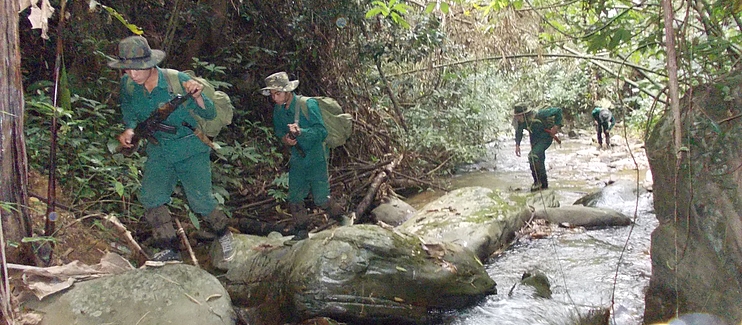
[542, 127]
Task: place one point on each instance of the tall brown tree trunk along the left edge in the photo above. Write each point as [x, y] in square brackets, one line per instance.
[16, 223]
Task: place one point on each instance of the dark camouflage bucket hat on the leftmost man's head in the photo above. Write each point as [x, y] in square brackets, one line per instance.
[135, 54]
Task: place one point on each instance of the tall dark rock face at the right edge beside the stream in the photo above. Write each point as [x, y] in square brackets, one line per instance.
[697, 248]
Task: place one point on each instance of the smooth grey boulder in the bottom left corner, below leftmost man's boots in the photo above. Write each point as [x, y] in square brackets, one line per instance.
[172, 294]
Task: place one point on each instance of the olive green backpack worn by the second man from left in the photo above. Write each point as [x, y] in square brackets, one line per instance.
[339, 125]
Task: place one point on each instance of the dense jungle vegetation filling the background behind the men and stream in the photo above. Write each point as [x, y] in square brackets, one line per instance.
[428, 83]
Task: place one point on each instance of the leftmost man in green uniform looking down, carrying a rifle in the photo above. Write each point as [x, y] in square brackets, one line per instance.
[177, 156]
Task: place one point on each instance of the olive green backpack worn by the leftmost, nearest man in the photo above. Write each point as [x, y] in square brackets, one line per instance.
[222, 102]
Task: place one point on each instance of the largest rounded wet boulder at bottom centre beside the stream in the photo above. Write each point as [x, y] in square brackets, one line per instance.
[361, 273]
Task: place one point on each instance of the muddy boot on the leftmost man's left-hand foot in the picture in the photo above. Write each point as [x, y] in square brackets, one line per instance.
[164, 235]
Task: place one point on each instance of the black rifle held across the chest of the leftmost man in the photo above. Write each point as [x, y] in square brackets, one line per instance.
[147, 128]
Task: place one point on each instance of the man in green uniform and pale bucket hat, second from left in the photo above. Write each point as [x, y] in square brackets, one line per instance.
[305, 135]
